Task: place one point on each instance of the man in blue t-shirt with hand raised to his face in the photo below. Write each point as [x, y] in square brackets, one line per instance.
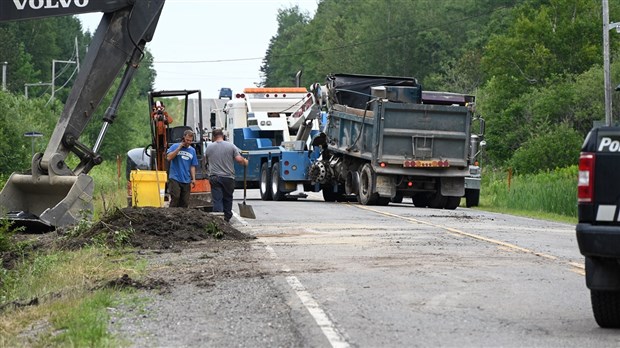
[182, 173]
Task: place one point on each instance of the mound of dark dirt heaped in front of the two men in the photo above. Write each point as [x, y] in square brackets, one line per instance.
[156, 228]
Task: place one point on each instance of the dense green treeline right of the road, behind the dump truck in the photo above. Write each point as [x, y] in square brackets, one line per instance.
[535, 66]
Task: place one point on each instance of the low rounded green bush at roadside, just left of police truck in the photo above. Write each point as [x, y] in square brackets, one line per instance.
[556, 148]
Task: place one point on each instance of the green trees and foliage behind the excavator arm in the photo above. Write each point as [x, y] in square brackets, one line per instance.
[29, 48]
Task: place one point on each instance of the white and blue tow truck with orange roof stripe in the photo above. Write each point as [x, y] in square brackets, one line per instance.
[273, 127]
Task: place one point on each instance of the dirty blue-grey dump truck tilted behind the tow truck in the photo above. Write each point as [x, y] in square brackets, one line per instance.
[386, 139]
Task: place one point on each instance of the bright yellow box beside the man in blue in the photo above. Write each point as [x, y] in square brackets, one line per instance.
[148, 188]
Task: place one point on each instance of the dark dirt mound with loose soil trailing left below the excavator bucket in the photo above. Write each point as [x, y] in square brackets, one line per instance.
[146, 229]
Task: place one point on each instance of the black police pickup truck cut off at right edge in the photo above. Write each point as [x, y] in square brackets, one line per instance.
[598, 230]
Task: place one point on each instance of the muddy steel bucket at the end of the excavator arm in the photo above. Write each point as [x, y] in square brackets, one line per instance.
[46, 202]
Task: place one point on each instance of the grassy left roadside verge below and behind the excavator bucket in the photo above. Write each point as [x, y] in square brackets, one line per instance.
[60, 298]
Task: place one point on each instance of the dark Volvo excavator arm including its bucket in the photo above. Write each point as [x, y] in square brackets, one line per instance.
[55, 194]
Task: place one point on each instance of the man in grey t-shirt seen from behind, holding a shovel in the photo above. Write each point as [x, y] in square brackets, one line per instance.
[222, 156]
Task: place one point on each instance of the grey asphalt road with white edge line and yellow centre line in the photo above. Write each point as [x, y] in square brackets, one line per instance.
[346, 275]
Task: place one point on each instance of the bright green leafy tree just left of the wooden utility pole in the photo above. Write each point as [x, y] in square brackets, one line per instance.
[546, 46]
